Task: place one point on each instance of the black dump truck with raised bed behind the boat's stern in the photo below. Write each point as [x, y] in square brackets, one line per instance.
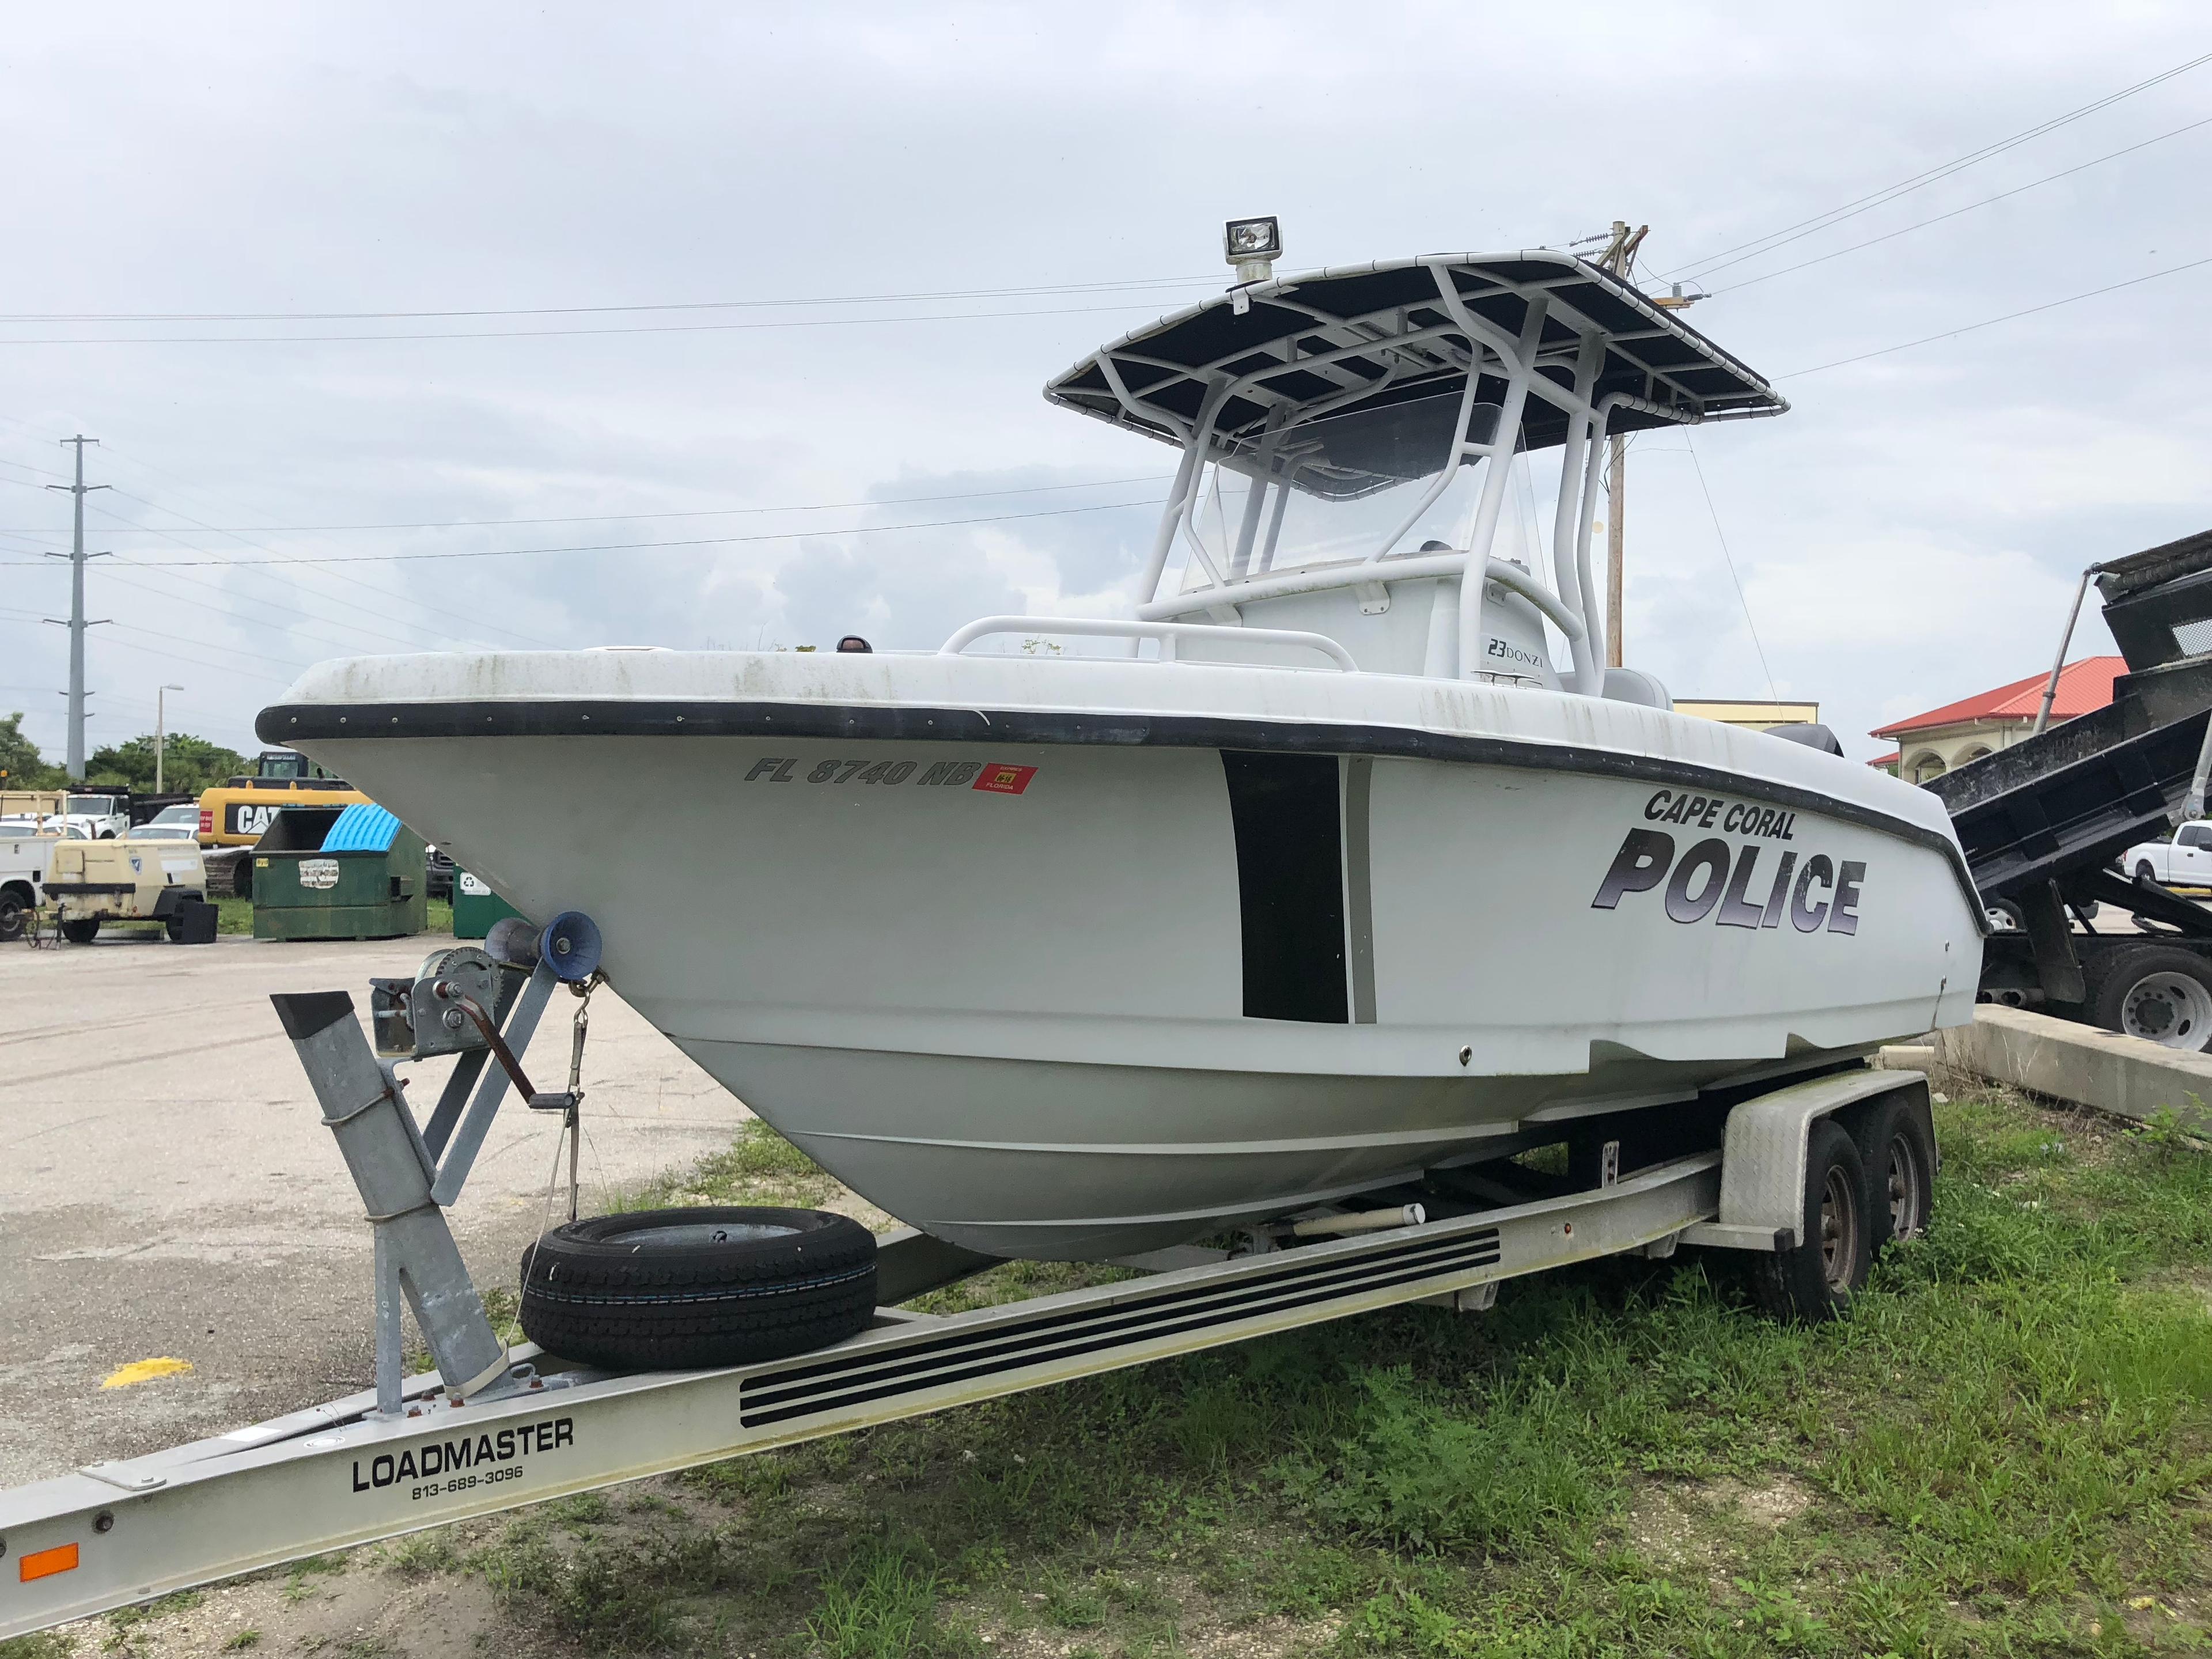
[2047, 822]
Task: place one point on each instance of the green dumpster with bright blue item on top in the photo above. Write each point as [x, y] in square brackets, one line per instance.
[340, 873]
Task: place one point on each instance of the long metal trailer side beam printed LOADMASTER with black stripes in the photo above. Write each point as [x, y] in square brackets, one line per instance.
[340, 1474]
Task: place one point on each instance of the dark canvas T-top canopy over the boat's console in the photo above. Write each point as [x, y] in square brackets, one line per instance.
[1291, 322]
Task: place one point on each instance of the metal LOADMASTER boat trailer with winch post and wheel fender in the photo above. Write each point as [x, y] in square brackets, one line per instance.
[499, 1428]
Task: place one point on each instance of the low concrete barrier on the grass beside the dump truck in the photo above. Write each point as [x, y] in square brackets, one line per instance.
[2085, 1065]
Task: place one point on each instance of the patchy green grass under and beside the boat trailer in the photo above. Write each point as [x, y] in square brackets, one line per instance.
[2007, 1450]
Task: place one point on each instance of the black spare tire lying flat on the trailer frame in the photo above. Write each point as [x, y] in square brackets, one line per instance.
[667, 1291]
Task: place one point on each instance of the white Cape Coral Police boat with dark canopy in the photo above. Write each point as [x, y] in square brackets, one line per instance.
[1313, 875]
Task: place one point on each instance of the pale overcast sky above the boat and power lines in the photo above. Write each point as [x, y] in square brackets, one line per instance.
[1906, 536]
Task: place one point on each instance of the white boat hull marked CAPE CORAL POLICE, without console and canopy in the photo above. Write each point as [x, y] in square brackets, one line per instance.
[1052, 990]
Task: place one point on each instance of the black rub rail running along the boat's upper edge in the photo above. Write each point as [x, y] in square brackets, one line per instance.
[640, 718]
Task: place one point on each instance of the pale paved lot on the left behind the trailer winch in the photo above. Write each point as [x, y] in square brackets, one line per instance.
[167, 1187]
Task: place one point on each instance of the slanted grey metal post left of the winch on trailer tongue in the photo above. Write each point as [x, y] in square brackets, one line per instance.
[390, 1167]
